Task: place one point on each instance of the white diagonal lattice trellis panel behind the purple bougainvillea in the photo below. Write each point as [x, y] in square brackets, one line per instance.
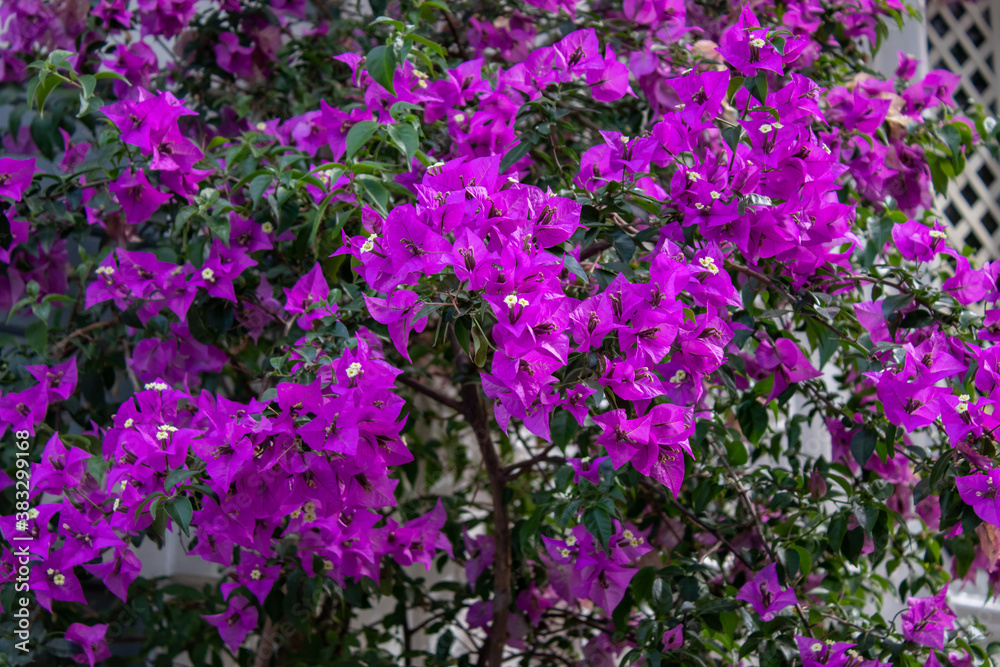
[964, 38]
